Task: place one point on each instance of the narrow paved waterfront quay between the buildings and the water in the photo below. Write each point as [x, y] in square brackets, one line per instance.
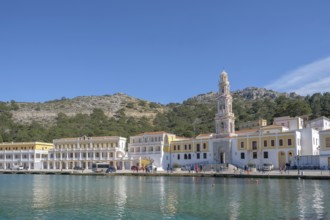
[291, 174]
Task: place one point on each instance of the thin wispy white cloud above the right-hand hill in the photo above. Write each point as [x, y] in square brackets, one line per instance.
[308, 79]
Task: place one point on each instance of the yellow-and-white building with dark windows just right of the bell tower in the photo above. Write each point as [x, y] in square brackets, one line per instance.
[273, 144]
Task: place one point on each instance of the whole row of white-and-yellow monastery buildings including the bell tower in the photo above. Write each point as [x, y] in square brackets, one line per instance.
[288, 142]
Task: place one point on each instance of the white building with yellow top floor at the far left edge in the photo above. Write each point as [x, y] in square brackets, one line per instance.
[29, 155]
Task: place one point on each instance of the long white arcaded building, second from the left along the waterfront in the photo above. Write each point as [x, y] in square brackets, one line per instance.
[82, 152]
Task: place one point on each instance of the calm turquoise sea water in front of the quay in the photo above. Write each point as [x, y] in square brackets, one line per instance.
[146, 197]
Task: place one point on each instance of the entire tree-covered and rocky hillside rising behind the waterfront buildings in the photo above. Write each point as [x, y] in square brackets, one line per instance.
[123, 115]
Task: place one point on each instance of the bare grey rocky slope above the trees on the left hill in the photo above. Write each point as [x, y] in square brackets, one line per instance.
[47, 112]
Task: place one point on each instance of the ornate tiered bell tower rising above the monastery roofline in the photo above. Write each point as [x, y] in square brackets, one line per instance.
[224, 118]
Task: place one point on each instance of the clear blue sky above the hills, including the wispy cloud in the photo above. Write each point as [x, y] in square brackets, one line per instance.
[161, 51]
